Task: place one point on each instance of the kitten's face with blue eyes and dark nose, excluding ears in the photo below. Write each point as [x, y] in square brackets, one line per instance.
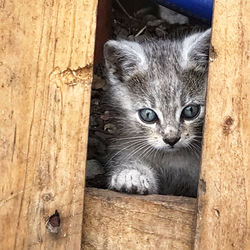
[169, 115]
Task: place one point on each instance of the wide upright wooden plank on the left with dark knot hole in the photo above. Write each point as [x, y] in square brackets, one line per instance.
[46, 56]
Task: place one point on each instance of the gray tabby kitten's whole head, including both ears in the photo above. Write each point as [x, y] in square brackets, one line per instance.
[159, 89]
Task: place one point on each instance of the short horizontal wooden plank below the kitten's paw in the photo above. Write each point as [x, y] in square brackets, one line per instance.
[119, 221]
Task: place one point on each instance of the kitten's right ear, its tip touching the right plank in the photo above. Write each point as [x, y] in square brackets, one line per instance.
[195, 51]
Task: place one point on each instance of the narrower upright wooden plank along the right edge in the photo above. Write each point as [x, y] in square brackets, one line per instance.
[224, 191]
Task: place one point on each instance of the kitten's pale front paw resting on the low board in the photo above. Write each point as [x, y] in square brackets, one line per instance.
[132, 181]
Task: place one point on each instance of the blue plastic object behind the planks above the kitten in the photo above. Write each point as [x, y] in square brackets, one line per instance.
[201, 9]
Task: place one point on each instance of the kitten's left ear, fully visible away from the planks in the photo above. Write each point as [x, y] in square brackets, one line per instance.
[124, 58]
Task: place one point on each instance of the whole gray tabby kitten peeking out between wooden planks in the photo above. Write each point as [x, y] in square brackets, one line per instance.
[158, 91]
